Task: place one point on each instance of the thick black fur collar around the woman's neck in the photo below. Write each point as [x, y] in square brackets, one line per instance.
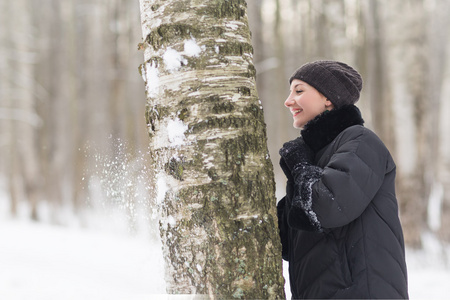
[324, 128]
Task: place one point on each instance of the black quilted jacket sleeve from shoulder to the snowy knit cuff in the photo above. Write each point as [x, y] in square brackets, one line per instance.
[351, 179]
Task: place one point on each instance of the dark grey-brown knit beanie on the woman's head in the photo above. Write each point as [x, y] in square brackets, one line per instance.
[337, 81]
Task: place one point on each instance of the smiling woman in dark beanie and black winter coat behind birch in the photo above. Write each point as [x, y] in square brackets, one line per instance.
[338, 222]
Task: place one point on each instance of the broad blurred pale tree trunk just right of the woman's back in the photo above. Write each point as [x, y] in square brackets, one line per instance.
[408, 71]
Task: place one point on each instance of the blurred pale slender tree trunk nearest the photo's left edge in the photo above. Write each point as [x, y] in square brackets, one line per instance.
[25, 128]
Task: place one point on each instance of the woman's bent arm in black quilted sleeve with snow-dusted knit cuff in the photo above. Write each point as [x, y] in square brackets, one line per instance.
[339, 193]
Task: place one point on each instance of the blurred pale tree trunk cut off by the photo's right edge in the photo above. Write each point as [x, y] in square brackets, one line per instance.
[438, 174]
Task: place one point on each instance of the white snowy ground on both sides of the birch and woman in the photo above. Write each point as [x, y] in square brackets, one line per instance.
[39, 261]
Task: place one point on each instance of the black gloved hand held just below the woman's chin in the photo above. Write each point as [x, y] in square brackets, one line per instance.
[295, 153]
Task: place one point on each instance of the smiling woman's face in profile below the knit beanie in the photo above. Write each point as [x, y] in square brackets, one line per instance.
[305, 103]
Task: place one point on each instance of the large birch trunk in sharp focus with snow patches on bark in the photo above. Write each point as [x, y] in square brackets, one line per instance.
[213, 175]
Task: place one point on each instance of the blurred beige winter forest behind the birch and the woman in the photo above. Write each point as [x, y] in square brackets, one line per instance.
[72, 127]
